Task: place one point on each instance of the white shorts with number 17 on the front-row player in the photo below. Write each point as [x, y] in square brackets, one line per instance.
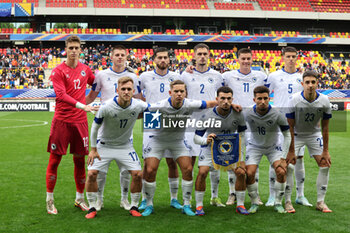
[125, 157]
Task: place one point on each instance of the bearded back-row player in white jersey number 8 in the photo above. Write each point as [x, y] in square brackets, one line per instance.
[155, 85]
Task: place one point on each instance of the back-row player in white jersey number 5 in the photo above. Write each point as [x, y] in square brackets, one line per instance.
[285, 83]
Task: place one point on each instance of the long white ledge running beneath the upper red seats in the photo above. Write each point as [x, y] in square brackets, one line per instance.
[190, 13]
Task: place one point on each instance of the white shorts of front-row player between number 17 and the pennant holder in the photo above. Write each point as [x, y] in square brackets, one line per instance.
[160, 149]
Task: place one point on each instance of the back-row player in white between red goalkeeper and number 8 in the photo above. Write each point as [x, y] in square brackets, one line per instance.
[106, 82]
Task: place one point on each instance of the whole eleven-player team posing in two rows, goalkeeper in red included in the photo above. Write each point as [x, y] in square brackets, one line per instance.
[201, 86]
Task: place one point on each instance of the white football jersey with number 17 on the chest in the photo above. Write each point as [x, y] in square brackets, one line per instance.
[118, 122]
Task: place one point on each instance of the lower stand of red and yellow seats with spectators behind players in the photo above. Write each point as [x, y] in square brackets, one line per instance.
[24, 67]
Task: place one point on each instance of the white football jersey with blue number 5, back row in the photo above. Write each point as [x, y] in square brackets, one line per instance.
[284, 85]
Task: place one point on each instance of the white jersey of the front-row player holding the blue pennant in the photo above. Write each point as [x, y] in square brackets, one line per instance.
[231, 123]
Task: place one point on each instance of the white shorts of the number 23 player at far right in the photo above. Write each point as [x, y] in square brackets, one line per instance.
[313, 142]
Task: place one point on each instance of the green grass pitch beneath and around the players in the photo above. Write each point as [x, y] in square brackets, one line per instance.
[23, 142]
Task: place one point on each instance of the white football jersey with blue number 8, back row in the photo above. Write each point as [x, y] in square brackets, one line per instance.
[155, 86]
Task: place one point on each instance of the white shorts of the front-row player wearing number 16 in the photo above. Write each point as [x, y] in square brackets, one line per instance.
[254, 154]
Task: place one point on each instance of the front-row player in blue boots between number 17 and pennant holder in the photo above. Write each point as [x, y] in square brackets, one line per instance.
[172, 140]
